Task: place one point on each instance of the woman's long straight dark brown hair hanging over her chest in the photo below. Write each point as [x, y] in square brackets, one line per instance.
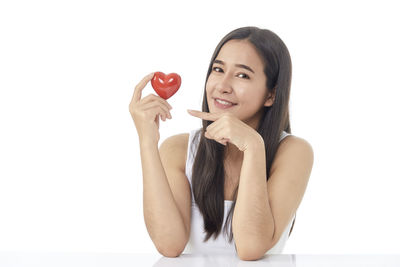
[208, 173]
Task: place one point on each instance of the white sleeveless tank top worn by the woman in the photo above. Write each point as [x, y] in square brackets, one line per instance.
[197, 233]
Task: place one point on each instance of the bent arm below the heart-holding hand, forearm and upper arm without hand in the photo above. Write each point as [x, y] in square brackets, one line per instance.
[164, 221]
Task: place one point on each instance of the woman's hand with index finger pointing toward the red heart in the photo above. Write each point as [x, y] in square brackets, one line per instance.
[227, 128]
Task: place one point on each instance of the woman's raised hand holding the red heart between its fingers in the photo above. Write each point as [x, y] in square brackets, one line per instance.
[145, 112]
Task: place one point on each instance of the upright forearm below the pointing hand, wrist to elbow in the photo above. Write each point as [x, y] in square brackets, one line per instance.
[253, 223]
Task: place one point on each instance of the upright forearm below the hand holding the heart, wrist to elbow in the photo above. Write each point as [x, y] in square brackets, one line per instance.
[161, 214]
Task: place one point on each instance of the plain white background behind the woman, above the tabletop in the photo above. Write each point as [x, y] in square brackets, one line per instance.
[70, 170]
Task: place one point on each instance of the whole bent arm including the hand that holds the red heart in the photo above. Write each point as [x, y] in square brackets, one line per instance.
[164, 182]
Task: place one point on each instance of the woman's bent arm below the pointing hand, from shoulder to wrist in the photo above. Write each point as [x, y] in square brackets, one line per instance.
[263, 210]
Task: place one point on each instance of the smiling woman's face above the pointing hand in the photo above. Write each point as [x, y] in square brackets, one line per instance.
[237, 76]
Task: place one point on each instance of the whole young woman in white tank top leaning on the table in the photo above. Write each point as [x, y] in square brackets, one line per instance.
[242, 171]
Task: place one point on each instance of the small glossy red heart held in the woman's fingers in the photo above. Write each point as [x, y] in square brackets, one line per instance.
[166, 85]
